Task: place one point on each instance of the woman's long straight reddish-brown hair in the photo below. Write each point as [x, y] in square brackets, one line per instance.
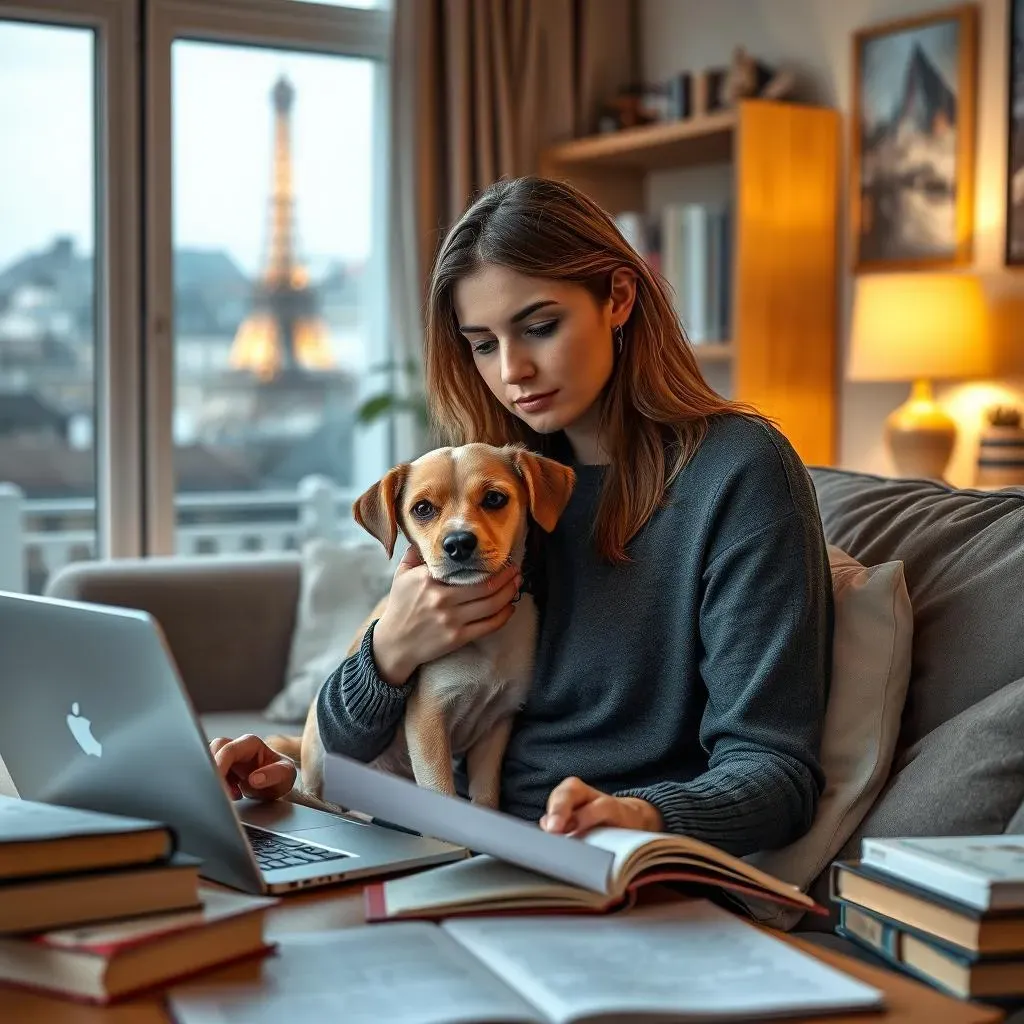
[657, 405]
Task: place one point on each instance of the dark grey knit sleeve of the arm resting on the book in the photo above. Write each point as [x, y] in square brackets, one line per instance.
[765, 630]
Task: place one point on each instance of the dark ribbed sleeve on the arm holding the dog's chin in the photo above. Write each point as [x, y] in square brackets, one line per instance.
[357, 711]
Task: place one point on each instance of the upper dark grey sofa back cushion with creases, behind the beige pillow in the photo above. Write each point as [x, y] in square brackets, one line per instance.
[963, 552]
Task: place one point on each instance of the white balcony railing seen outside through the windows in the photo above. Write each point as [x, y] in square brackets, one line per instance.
[39, 537]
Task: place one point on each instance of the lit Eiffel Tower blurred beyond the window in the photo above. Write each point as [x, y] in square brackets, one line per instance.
[284, 333]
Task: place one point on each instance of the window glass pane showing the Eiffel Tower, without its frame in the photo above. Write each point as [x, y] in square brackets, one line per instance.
[273, 237]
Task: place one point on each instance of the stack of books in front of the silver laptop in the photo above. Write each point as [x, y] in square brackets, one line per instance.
[100, 907]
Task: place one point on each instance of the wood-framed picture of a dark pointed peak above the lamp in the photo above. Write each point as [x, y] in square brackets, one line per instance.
[912, 176]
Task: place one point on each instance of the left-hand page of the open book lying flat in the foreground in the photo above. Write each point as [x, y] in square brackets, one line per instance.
[403, 974]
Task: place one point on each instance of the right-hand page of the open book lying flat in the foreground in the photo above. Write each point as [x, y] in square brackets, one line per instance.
[686, 961]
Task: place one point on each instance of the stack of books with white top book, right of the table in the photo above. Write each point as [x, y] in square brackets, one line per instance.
[948, 911]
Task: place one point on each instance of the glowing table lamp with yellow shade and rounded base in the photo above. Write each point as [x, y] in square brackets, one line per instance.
[919, 328]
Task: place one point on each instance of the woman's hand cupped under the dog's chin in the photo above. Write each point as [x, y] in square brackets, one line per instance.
[425, 619]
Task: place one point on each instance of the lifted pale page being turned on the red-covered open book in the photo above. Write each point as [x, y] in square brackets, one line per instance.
[350, 784]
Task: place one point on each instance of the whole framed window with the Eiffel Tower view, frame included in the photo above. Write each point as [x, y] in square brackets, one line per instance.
[267, 132]
